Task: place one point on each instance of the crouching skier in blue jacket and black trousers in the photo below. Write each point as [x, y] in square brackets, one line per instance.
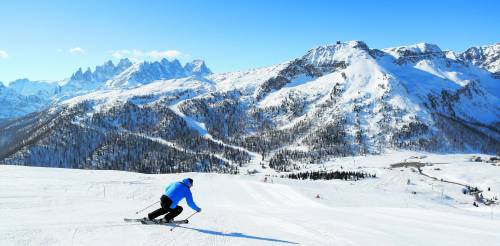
[172, 195]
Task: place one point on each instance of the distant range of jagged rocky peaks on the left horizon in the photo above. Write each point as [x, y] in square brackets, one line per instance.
[124, 74]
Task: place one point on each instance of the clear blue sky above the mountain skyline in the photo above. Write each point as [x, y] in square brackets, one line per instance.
[37, 36]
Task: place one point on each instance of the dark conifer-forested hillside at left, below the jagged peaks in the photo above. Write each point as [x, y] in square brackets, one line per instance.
[116, 139]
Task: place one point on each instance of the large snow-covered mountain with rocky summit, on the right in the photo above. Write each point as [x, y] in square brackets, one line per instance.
[378, 97]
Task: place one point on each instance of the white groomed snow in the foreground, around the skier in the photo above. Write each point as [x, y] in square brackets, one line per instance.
[51, 206]
